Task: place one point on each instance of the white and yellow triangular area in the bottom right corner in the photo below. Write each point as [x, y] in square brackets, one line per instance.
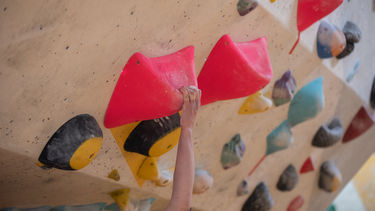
[359, 193]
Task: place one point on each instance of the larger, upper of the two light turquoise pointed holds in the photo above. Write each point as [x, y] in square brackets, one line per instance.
[307, 103]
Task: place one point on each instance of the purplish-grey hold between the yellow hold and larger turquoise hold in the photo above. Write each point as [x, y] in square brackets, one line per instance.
[284, 89]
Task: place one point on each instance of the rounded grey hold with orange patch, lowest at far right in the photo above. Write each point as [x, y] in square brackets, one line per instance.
[330, 177]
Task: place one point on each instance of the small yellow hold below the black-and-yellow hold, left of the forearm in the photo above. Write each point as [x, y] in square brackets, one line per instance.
[149, 169]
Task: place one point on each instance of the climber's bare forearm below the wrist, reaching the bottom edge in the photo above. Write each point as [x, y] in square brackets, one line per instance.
[184, 172]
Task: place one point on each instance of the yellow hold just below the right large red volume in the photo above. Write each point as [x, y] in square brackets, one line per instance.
[255, 103]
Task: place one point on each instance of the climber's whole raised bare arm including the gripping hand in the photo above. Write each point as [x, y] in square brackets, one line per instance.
[183, 178]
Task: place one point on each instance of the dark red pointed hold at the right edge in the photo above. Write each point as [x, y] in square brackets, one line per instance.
[359, 125]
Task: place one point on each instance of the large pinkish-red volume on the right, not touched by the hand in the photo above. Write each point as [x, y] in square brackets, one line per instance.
[234, 70]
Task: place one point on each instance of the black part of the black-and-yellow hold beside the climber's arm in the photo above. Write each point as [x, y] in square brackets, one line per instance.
[148, 132]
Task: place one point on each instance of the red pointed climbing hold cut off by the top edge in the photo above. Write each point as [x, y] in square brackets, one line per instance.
[310, 11]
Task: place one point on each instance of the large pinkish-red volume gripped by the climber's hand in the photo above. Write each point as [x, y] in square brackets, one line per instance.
[148, 87]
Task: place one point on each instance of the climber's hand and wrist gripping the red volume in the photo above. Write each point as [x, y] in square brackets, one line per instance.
[192, 102]
